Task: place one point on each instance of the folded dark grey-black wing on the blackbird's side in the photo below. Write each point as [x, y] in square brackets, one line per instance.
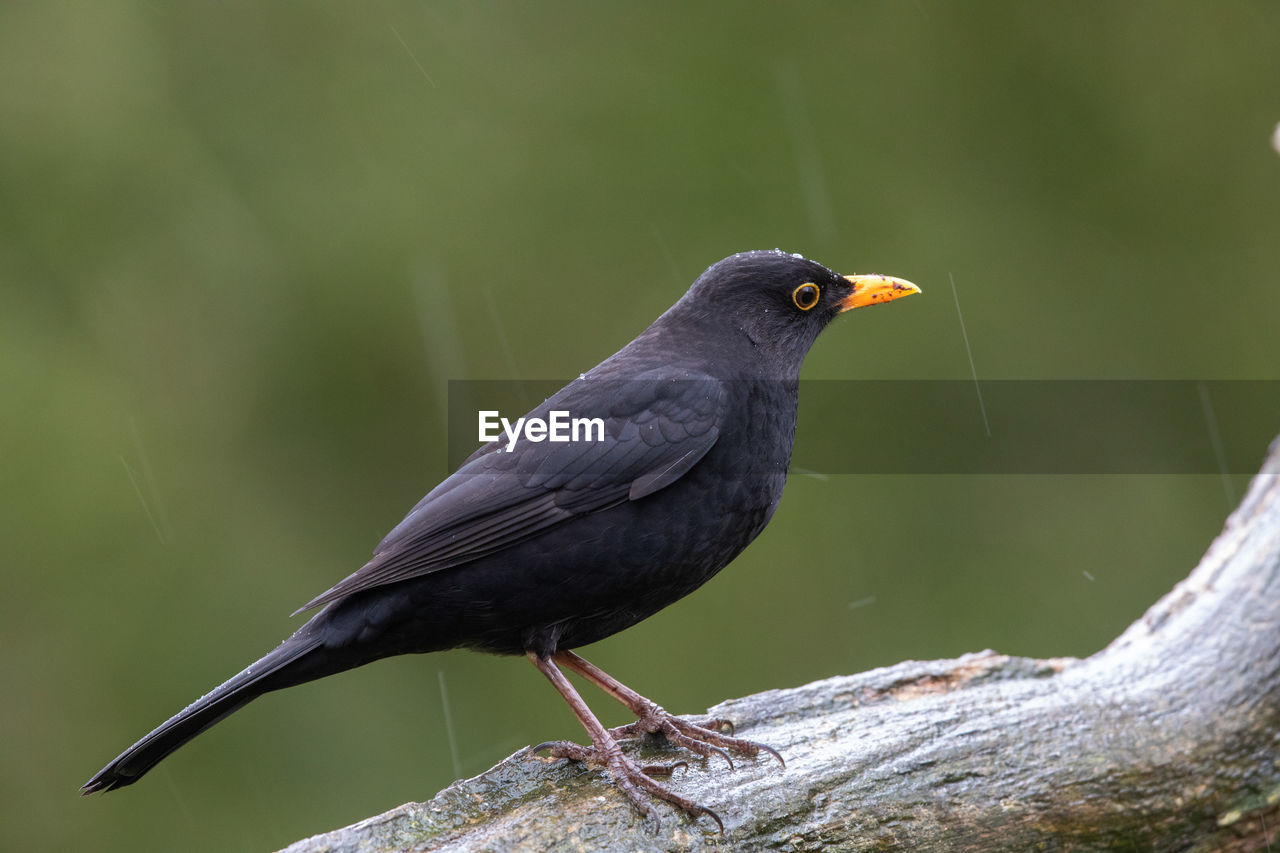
[656, 428]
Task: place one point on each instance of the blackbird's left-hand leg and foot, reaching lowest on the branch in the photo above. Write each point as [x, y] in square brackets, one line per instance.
[629, 777]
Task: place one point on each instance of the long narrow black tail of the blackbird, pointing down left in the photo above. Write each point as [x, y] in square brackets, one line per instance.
[299, 659]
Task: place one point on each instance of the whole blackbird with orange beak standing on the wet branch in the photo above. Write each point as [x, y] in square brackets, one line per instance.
[542, 548]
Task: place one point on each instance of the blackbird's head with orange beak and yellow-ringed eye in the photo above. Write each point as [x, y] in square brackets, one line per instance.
[783, 302]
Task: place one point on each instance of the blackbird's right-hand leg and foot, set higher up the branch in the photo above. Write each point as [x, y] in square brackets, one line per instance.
[703, 740]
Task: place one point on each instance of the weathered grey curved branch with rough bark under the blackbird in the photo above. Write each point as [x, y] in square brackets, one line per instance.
[1169, 740]
